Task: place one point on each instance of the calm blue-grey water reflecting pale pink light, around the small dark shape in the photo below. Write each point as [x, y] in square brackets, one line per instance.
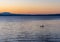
[27, 29]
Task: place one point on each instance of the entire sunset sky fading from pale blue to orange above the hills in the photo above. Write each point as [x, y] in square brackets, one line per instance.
[30, 6]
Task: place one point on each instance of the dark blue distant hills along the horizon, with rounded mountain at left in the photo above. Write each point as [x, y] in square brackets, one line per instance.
[11, 14]
